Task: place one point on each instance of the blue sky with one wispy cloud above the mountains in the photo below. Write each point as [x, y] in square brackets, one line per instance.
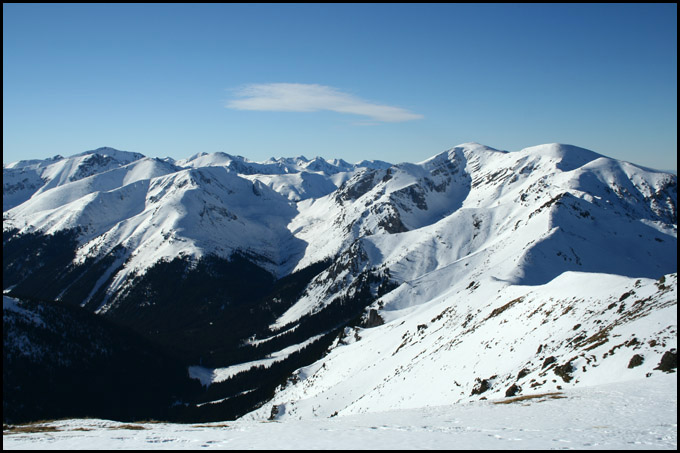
[399, 82]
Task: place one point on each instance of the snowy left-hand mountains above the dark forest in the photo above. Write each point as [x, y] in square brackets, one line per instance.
[212, 203]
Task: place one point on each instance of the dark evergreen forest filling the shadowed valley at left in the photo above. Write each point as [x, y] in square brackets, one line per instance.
[179, 313]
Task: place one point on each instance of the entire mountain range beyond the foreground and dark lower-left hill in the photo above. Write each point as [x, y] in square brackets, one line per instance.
[477, 273]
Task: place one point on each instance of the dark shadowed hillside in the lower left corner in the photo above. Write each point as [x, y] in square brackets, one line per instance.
[64, 362]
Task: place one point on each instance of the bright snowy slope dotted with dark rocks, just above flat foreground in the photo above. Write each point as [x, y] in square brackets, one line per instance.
[481, 338]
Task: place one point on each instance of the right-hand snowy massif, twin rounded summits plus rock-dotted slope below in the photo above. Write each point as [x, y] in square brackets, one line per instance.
[529, 254]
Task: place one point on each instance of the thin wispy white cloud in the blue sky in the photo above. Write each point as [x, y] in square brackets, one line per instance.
[299, 97]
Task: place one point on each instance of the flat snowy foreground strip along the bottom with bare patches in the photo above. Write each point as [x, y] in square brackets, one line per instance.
[641, 414]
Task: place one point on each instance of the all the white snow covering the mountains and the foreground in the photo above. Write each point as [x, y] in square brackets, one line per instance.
[503, 260]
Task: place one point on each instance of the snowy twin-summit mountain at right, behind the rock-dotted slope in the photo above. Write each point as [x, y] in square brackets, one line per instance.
[512, 216]
